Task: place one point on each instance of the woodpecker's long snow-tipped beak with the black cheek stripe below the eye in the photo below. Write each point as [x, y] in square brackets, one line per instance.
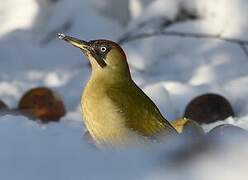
[84, 46]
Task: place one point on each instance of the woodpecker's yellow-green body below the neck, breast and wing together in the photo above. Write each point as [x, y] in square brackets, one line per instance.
[116, 111]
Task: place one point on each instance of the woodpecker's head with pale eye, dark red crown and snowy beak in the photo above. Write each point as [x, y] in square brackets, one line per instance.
[106, 57]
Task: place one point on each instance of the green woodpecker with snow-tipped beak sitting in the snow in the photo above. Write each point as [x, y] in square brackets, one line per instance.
[116, 112]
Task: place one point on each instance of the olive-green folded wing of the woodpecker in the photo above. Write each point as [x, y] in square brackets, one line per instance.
[140, 112]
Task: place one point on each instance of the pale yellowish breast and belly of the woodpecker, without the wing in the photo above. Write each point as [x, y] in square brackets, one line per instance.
[104, 120]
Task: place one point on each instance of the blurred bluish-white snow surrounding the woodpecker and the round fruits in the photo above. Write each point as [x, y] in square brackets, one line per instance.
[171, 70]
